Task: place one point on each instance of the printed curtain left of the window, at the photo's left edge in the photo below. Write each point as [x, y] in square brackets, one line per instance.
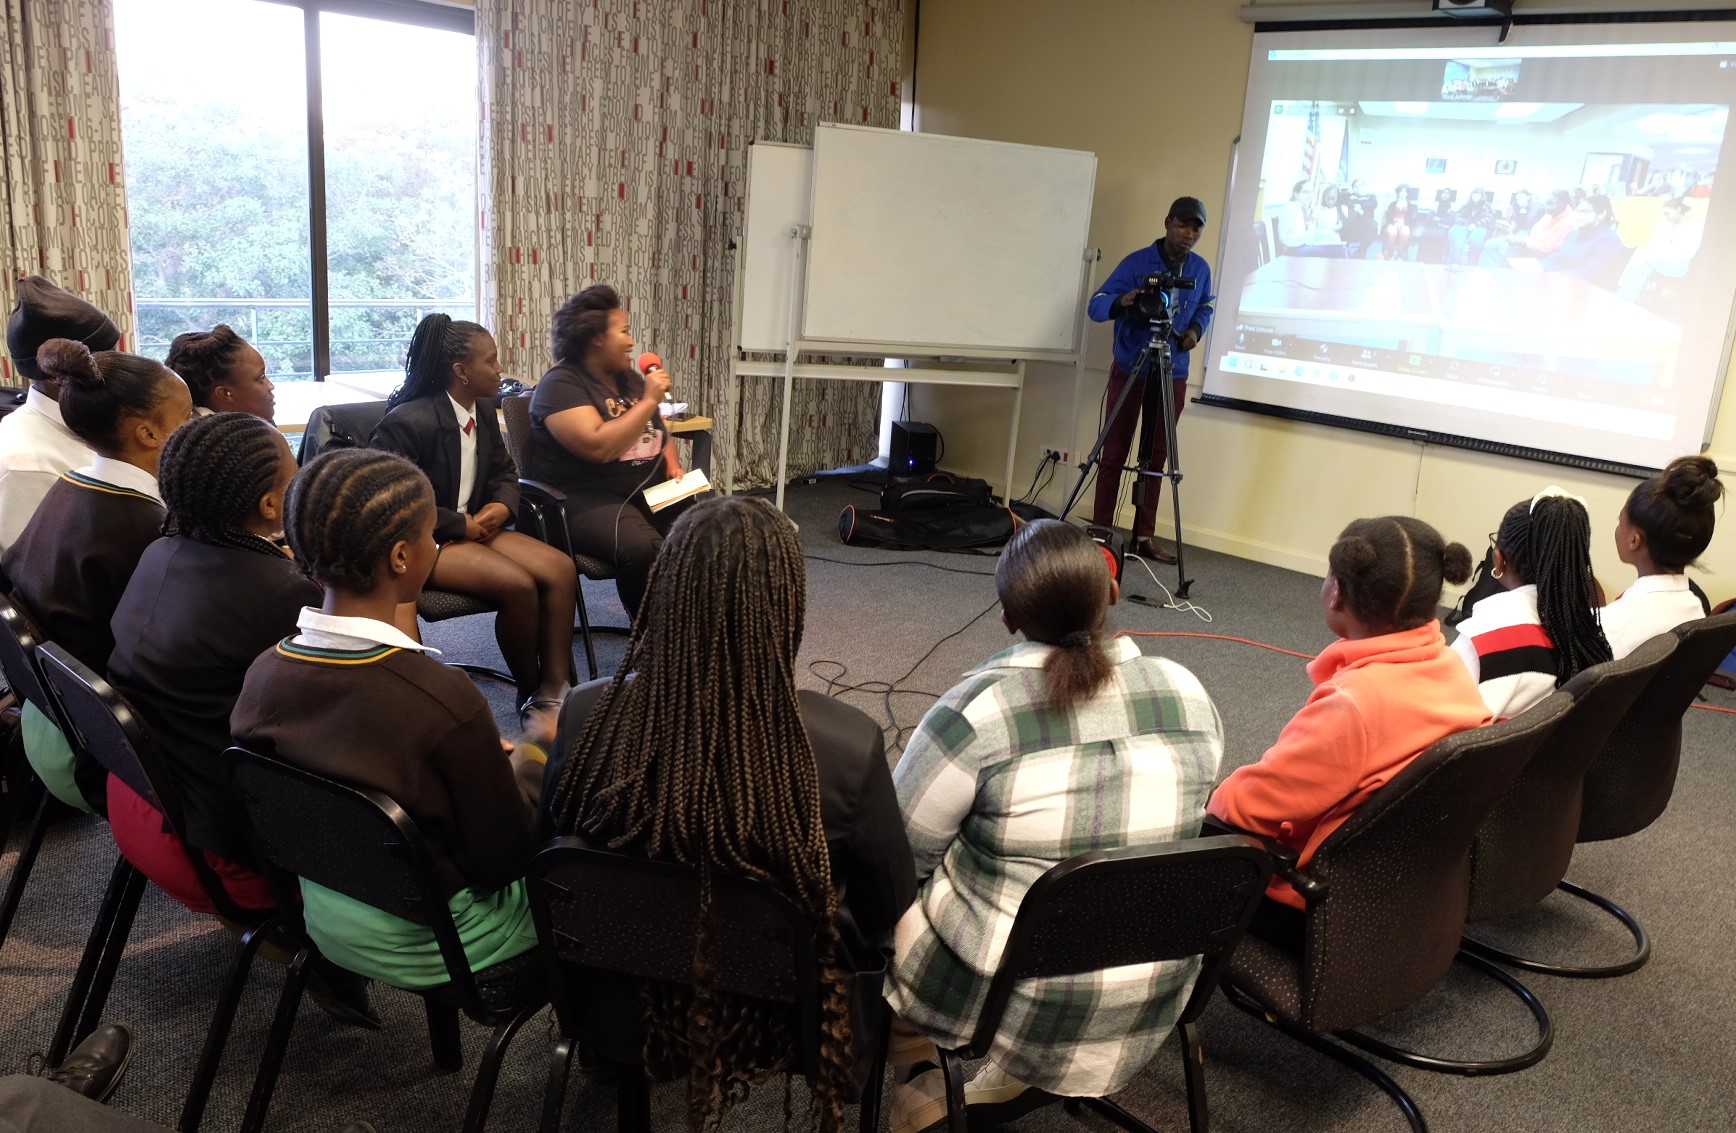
[60, 157]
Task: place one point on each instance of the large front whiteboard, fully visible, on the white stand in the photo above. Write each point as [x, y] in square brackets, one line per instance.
[935, 242]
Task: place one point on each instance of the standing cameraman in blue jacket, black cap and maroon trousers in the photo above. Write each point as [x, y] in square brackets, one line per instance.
[1133, 331]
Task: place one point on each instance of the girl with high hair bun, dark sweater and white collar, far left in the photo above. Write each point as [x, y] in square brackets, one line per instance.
[76, 556]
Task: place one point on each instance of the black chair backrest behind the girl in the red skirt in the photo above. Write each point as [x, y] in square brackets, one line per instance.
[108, 728]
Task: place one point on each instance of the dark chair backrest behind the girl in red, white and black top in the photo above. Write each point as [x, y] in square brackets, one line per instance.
[1527, 842]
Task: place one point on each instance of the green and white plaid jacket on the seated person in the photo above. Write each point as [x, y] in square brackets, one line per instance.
[996, 790]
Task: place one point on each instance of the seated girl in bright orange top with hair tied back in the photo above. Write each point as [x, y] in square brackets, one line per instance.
[1383, 693]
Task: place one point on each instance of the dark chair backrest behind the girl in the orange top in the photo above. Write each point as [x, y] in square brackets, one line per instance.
[1400, 874]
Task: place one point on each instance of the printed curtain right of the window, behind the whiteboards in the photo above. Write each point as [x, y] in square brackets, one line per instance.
[615, 138]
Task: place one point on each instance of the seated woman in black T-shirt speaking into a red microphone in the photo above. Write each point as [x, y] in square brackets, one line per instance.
[600, 438]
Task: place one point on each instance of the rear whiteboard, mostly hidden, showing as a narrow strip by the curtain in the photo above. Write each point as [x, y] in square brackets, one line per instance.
[779, 199]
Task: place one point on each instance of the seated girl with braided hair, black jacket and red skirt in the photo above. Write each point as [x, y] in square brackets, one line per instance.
[181, 664]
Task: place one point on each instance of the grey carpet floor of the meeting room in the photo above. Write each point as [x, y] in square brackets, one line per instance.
[888, 632]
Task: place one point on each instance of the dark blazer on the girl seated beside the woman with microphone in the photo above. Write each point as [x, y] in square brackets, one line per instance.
[426, 431]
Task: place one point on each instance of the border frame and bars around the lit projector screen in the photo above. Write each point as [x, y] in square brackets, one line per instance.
[1428, 436]
